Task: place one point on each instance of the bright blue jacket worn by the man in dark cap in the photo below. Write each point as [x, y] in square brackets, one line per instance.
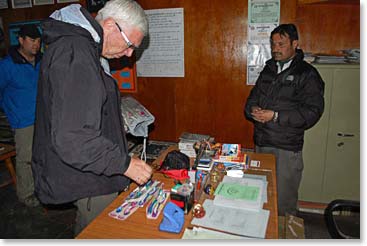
[18, 88]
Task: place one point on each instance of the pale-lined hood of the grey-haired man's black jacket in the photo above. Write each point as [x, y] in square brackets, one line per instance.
[72, 20]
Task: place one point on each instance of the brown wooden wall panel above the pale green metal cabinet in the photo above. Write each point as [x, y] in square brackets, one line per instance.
[329, 28]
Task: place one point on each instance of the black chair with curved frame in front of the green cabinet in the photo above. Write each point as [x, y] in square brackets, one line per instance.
[342, 219]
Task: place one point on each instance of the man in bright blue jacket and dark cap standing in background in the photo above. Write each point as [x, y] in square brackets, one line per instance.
[18, 88]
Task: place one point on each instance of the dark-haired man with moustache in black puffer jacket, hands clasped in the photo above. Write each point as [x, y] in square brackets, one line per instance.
[288, 98]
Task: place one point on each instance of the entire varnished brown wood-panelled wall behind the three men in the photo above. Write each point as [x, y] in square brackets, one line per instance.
[211, 96]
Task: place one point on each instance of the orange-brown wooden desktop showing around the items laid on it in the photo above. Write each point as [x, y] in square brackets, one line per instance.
[137, 226]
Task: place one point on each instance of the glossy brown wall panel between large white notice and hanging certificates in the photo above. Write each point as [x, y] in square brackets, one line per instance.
[211, 101]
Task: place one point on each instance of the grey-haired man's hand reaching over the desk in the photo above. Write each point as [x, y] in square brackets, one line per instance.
[139, 171]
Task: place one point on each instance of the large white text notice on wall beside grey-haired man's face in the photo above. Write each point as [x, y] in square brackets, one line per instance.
[161, 54]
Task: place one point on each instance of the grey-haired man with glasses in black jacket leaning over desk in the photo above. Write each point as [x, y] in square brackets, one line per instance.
[80, 149]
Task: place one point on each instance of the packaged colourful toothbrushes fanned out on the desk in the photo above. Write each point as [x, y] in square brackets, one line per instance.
[152, 191]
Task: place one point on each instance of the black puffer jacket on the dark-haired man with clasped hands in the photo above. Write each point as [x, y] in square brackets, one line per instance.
[297, 93]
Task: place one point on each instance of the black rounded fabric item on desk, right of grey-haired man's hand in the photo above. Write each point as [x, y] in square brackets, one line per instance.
[175, 160]
